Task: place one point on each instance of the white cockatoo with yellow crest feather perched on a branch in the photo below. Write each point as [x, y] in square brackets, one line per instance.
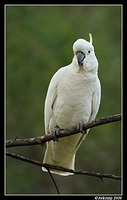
[73, 98]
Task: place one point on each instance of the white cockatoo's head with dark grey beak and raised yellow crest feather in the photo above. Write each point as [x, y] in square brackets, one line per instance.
[84, 56]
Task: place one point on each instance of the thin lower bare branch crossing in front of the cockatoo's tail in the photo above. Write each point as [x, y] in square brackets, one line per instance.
[79, 172]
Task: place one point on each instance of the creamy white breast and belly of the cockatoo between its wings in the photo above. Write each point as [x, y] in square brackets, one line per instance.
[73, 102]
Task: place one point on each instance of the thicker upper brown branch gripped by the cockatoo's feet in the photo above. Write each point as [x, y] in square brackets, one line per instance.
[63, 133]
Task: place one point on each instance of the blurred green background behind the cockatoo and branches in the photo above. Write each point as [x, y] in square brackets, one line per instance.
[39, 41]
